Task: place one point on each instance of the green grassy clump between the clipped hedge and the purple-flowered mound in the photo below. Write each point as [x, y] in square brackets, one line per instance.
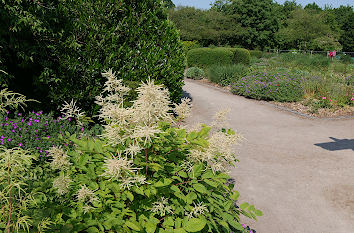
[225, 75]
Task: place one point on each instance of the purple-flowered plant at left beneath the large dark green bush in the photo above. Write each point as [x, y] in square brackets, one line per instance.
[38, 131]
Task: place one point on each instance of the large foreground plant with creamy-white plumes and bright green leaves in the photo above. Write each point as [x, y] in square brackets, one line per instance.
[146, 172]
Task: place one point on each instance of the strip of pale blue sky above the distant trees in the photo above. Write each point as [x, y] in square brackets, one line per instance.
[205, 4]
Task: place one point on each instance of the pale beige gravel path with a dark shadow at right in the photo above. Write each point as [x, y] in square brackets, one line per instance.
[298, 171]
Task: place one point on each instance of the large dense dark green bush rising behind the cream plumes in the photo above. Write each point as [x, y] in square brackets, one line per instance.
[56, 50]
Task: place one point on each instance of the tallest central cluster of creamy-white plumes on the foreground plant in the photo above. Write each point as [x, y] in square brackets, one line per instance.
[133, 127]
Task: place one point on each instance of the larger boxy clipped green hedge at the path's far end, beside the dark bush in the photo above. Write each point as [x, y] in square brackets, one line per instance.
[205, 57]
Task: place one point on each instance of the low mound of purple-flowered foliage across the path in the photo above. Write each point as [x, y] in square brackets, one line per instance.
[270, 86]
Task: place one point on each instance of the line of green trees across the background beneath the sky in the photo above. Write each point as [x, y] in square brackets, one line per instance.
[262, 24]
